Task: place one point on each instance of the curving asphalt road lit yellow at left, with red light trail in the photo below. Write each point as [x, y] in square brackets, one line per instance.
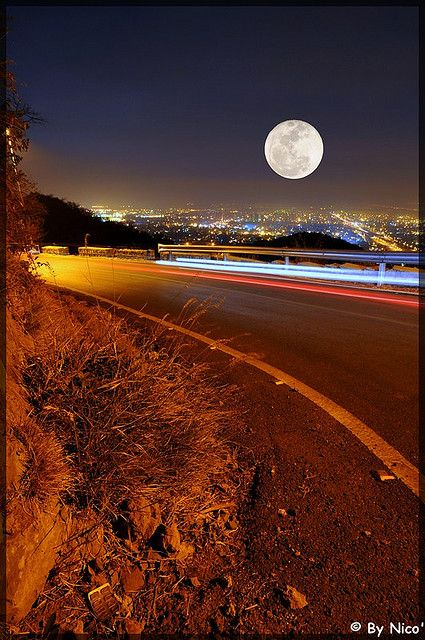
[362, 352]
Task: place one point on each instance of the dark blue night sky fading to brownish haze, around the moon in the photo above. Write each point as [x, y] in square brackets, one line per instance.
[161, 106]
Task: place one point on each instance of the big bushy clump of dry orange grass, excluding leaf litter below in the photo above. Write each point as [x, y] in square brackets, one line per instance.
[132, 417]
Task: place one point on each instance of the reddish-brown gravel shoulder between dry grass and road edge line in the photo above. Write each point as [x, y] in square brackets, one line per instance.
[314, 517]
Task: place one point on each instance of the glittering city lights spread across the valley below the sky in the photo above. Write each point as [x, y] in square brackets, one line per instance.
[377, 229]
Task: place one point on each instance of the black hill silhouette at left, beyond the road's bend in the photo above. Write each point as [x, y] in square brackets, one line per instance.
[67, 223]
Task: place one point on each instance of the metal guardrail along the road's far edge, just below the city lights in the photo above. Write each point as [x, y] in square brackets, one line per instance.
[410, 258]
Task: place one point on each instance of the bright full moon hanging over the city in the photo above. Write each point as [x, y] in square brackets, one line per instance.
[294, 149]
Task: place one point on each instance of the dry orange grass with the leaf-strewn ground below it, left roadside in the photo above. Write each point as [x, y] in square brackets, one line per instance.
[111, 412]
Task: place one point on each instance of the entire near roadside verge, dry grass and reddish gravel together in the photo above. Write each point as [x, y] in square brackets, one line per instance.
[209, 503]
